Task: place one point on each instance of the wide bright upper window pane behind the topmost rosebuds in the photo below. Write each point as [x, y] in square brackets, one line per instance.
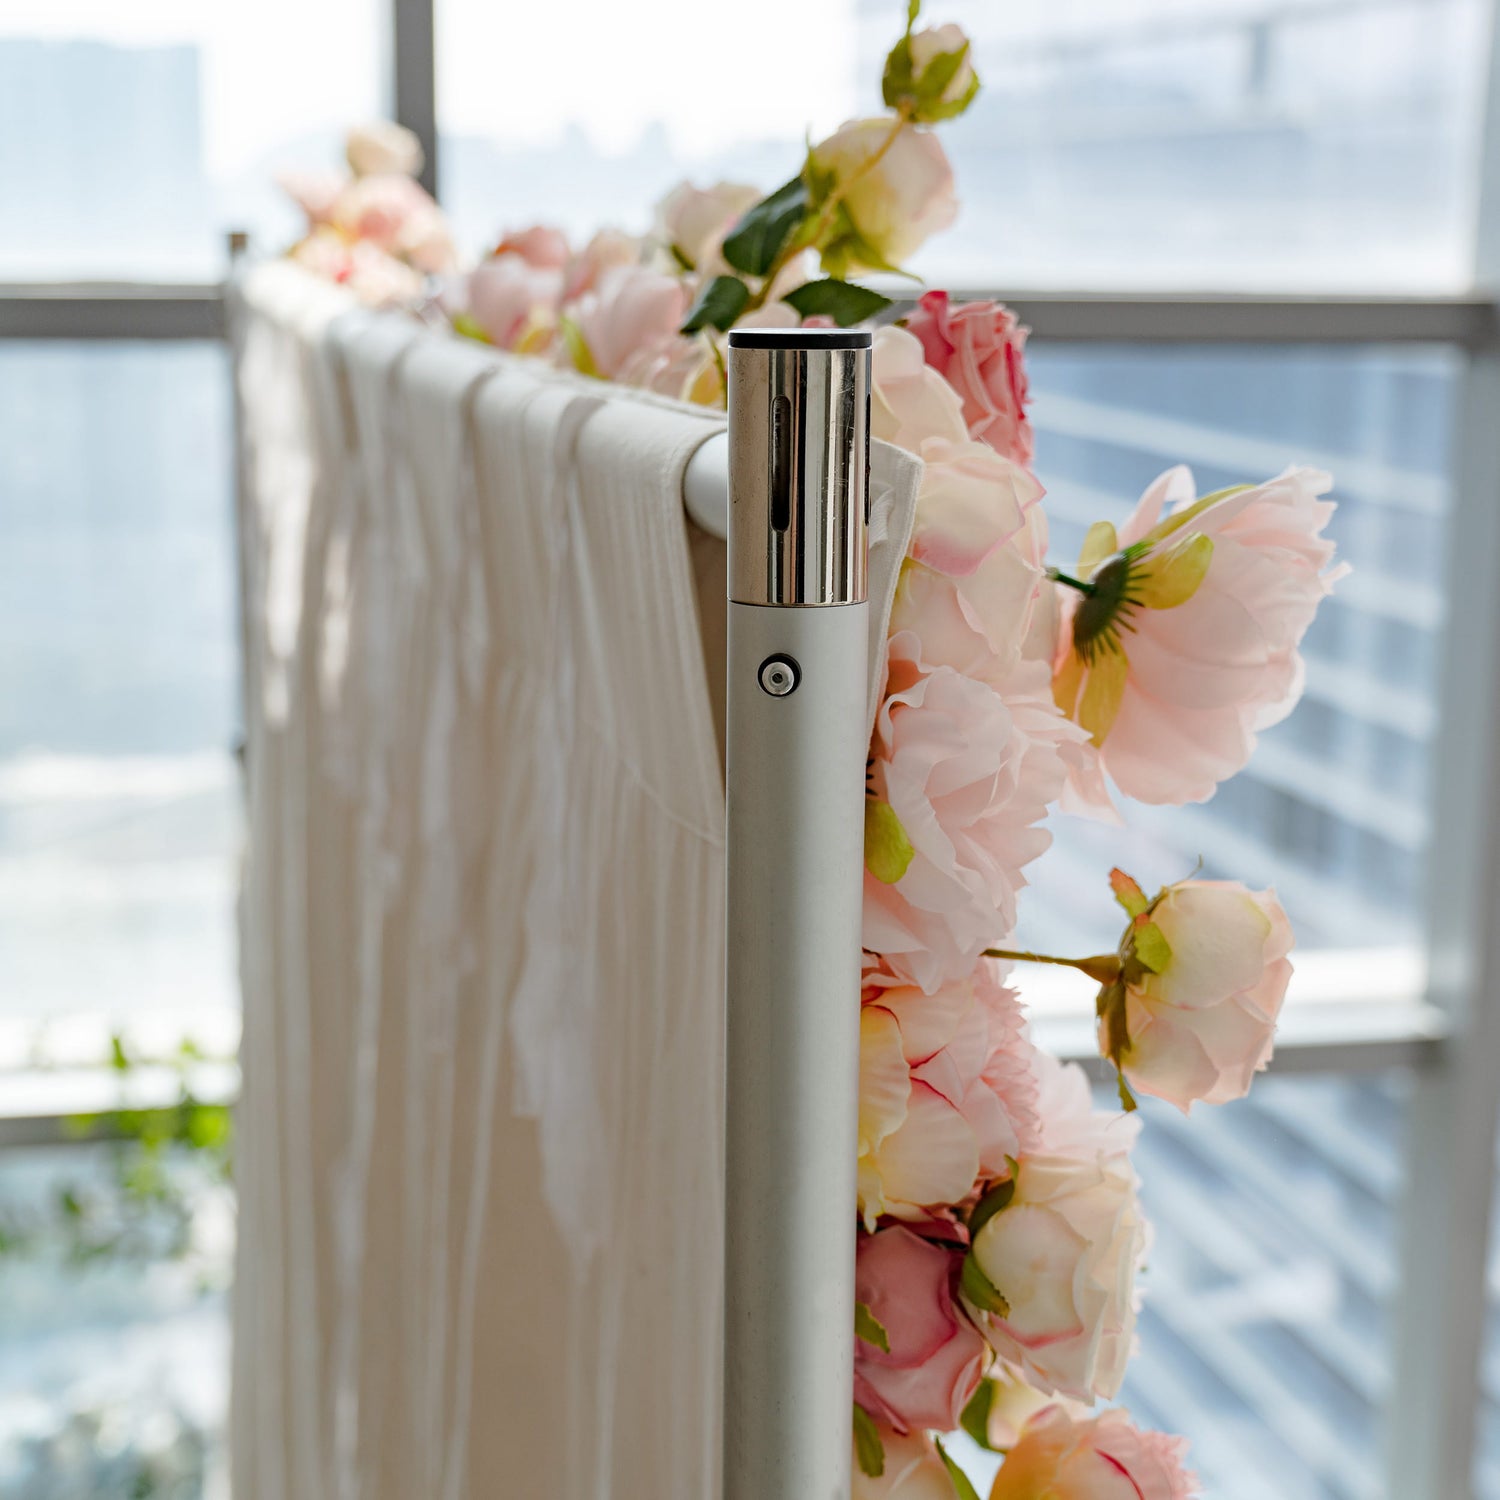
[1118, 143]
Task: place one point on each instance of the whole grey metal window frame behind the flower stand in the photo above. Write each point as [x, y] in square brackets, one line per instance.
[1451, 1033]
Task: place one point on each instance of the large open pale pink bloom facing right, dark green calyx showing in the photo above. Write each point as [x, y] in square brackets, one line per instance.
[1189, 644]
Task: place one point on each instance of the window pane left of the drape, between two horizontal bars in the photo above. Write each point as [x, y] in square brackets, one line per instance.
[119, 797]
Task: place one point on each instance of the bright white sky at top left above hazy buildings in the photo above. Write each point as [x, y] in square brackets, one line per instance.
[709, 71]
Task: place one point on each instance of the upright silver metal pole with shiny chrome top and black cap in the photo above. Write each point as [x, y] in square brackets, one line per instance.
[799, 655]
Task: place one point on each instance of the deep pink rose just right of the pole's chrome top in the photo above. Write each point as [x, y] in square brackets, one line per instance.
[979, 349]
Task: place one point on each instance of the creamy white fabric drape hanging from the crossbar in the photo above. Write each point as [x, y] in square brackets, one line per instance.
[479, 1145]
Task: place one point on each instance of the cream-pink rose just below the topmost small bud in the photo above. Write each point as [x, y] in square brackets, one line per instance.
[901, 202]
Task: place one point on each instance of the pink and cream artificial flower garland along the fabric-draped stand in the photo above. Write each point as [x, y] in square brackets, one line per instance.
[1000, 1228]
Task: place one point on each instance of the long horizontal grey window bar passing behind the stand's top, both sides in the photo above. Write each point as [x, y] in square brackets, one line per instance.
[143, 311]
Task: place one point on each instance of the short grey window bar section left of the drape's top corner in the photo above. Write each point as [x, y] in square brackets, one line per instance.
[91, 311]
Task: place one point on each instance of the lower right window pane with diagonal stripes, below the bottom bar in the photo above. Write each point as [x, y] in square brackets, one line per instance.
[1265, 1337]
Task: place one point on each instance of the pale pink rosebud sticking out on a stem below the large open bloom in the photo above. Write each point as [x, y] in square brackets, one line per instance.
[1205, 973]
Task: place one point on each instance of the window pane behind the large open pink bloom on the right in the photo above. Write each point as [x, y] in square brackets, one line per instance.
[1333, 808]
